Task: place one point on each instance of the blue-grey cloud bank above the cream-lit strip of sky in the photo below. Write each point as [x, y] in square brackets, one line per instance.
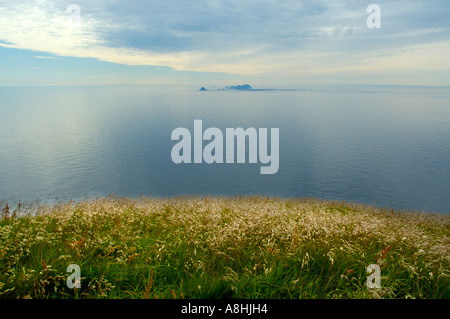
[173, 26]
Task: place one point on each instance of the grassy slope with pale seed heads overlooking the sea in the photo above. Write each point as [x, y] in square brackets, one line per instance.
[242, 247]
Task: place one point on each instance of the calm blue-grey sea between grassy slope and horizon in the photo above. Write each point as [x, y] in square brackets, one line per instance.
[385, 146]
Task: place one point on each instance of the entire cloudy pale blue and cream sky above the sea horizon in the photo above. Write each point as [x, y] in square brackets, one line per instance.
[214, 42]
